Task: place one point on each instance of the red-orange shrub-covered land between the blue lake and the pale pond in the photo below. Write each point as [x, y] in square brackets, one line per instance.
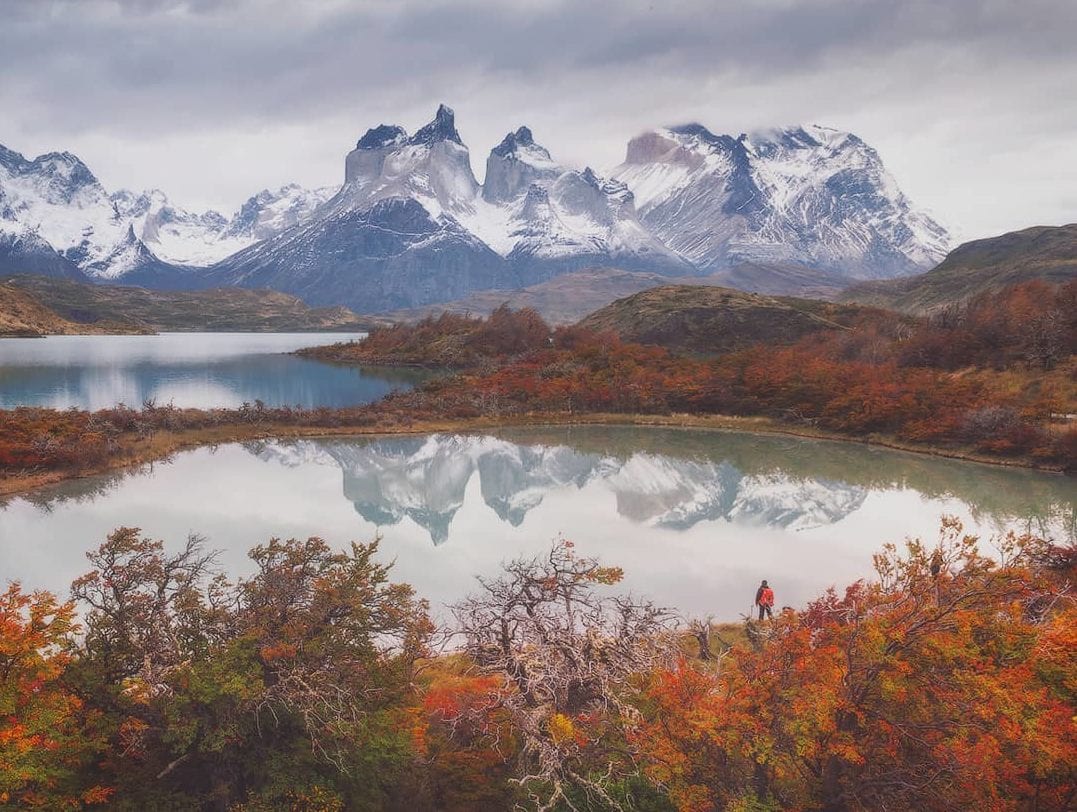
[930, 382]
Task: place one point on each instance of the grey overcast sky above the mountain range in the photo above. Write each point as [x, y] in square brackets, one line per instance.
[971, 103]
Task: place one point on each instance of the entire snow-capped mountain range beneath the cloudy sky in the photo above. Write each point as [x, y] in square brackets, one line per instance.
[412, 226]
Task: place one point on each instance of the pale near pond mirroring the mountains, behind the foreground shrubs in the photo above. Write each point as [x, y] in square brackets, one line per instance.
[695, 519]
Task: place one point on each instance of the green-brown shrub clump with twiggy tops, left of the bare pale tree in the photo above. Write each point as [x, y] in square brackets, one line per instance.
[293, 683]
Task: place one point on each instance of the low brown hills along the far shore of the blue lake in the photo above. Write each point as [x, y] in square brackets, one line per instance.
[220, 311]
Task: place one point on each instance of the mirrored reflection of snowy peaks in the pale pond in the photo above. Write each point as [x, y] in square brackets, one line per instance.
[426, 480]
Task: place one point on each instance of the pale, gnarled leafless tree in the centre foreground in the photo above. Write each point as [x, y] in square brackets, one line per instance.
[566, 652]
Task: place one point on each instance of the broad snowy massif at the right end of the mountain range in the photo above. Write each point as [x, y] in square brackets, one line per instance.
[810, 195]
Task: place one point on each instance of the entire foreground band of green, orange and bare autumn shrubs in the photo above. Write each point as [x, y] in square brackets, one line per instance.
[316, 683]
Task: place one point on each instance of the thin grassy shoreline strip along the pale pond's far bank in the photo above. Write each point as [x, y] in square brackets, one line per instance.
[164, 444]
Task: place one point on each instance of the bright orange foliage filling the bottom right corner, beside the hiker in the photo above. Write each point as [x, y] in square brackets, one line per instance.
[916, 692]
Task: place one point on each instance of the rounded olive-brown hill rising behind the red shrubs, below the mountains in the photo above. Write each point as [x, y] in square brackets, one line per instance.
[708, 319]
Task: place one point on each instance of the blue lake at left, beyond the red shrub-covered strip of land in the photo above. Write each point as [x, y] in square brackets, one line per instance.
[199, 370]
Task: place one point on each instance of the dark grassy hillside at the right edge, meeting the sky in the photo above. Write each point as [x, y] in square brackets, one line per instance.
[1047, 254]
